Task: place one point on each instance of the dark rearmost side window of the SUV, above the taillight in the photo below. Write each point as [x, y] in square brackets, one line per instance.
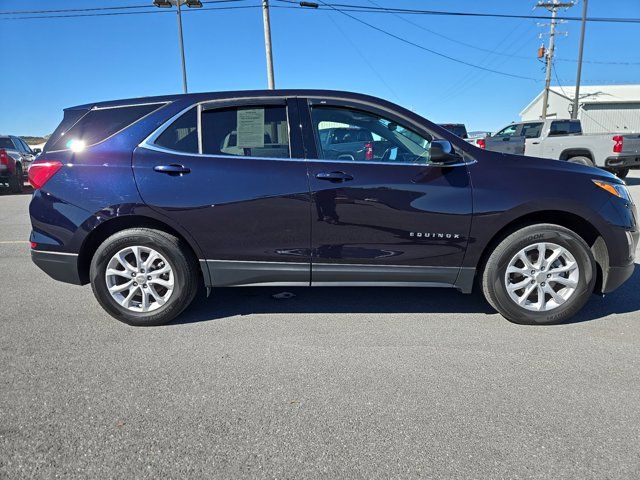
[101, 123]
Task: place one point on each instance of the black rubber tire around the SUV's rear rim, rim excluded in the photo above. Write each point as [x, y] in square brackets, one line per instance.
[183, 292]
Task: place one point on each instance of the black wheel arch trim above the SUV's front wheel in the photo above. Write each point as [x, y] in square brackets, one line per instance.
[582, 227]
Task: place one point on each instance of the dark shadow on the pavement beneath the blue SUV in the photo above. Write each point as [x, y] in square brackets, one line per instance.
[230, 302]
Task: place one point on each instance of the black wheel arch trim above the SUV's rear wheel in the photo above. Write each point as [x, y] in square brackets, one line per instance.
[116, 224]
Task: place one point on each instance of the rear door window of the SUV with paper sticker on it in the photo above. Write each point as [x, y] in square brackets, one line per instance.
[246, 131]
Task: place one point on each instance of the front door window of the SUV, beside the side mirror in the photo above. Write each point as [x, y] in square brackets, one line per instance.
[371, 138]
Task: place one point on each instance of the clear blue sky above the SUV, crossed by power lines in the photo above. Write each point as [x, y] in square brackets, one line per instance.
[55, 63]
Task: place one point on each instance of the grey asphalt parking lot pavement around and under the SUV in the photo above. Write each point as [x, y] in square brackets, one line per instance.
[334, 383]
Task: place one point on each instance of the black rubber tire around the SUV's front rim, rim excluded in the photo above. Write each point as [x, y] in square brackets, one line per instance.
[559, 236]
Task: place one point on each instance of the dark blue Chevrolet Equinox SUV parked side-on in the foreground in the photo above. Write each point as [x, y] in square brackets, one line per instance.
[148, 198]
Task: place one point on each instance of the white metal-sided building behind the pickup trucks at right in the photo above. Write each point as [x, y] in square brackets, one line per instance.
[603, 108]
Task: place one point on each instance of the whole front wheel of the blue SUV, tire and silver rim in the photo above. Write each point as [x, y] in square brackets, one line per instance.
[556, 238]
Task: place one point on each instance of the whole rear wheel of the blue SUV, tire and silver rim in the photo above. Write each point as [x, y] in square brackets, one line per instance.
[167, 294]
